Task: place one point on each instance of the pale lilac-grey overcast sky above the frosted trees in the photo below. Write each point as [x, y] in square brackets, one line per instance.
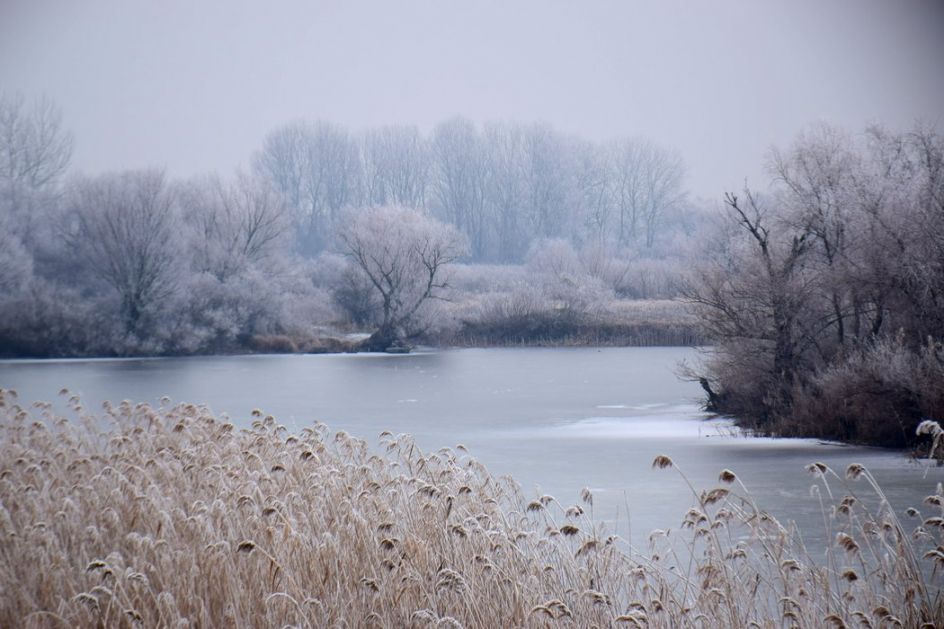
[193, 86]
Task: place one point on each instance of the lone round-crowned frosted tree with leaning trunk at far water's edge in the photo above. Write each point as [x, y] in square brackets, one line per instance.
[404, 255]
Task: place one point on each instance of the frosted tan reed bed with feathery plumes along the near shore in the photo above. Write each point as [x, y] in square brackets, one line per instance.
[170, 516]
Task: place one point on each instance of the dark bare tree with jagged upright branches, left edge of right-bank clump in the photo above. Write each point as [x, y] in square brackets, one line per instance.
[752, 296]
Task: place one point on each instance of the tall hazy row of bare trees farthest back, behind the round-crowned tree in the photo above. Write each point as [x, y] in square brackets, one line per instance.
[502, 186]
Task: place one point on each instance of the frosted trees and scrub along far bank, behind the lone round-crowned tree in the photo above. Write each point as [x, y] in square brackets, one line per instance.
[132, 262]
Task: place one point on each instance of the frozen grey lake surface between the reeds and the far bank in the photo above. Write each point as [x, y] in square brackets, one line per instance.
[557, 420]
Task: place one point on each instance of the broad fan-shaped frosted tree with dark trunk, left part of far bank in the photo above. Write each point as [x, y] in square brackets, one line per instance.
[124, 229]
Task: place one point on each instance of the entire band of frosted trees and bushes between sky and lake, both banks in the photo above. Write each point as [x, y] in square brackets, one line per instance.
[822, 295]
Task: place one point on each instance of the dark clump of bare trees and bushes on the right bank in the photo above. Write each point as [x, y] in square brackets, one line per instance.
[825, 296]
